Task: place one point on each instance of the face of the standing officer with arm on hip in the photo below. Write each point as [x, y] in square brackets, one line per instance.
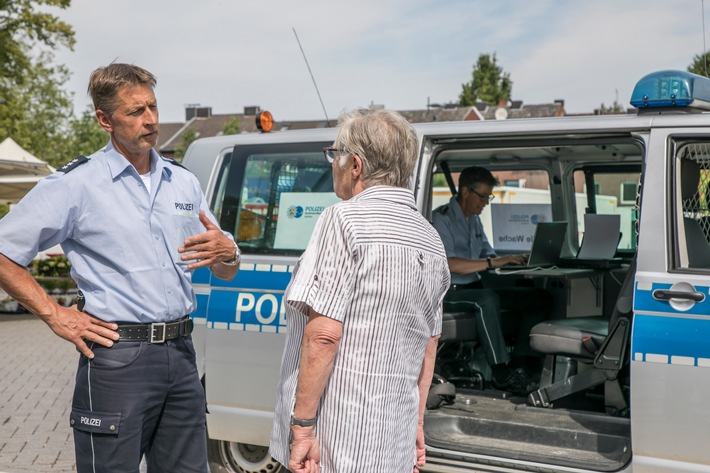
[133, 126]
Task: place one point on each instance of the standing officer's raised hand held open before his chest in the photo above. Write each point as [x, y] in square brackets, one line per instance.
[208, 248]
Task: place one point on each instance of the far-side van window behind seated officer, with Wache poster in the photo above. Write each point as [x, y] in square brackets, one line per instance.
[520, 201]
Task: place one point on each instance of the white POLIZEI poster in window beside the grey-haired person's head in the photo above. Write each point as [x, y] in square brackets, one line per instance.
[298, 213]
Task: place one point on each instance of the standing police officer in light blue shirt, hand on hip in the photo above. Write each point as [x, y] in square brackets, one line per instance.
[134, 226]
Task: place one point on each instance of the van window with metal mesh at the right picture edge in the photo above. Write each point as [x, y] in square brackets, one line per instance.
[693, 213]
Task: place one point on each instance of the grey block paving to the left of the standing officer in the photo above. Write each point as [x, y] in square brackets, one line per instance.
[36, 385]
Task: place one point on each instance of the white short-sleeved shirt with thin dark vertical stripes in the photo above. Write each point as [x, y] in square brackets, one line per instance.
[376, 265]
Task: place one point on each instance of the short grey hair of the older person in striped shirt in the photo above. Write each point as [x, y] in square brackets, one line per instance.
[385, 142]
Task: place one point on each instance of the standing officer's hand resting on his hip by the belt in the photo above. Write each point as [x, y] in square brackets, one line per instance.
[80, 328]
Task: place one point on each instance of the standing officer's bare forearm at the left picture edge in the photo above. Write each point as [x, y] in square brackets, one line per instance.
[17, 281]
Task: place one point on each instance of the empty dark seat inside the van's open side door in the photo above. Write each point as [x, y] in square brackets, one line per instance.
[600, 342]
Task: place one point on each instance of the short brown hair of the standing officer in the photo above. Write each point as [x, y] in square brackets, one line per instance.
[105, 82]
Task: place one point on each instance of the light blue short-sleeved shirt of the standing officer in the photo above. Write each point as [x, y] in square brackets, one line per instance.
[120, 239]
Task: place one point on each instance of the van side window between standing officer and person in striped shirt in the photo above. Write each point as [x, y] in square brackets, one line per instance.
[270, 199]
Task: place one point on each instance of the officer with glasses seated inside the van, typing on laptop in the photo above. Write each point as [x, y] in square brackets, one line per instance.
[469, 253]
